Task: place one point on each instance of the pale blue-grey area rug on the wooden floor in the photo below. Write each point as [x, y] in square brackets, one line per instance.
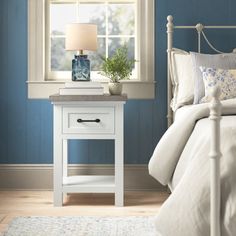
[81, 226]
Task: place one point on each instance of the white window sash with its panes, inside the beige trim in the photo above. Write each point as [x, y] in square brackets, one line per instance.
[117, 25]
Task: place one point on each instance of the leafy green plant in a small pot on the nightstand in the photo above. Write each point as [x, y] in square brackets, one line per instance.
[117, 67]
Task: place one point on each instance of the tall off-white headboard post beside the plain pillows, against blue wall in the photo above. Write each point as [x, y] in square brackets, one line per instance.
[170, 31]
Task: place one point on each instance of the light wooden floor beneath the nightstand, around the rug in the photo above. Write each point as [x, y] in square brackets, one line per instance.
[39, 203]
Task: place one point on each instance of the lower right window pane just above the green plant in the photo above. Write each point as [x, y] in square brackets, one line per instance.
[115, 43]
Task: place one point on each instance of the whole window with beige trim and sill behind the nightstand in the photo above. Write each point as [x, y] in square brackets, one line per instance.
[119, 22]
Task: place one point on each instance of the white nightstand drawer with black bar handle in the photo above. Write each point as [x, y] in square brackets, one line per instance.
[88, 120]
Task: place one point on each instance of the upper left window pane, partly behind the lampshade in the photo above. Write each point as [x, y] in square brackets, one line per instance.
[61, 14]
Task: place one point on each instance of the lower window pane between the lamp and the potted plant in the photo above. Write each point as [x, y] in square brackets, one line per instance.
[95, 57]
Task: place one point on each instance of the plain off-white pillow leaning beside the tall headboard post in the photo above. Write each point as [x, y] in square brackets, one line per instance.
[182, 78]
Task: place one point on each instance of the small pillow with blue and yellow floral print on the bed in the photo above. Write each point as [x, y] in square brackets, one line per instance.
[225, 79]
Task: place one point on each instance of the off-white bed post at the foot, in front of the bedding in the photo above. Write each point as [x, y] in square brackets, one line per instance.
[215, 154]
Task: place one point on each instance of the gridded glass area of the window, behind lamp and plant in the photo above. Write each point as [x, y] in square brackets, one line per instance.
[121, 21]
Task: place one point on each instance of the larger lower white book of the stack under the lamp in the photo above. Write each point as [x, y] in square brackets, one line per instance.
[79, 91]
